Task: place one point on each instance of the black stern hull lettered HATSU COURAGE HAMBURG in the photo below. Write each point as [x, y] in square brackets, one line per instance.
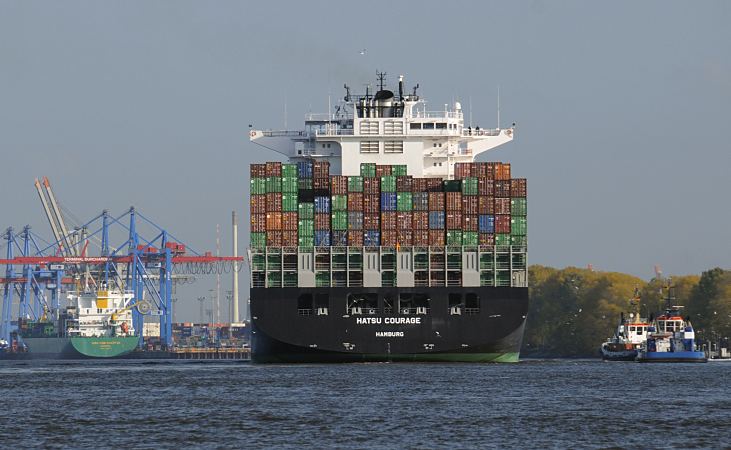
[491, 333]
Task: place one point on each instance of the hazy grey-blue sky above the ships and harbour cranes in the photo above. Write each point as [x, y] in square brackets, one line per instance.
[623, 110]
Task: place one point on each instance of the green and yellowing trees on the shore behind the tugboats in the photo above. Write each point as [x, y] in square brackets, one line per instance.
[572, 310]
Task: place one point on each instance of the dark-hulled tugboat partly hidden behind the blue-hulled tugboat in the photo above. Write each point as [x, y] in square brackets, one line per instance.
[631, 334]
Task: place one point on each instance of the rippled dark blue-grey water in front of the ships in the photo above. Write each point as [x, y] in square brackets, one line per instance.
[534, 404]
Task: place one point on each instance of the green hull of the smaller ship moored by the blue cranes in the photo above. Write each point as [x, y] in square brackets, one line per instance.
[80, 347]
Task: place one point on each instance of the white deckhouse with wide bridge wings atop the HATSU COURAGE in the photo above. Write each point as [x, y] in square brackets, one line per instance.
[386, 129]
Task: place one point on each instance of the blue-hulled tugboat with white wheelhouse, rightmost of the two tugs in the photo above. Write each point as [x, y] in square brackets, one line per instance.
[671, 338]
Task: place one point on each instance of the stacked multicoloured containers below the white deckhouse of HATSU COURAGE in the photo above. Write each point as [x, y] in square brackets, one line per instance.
[303, 205]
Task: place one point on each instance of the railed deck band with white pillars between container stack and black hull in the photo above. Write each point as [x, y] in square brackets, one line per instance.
[415, 266]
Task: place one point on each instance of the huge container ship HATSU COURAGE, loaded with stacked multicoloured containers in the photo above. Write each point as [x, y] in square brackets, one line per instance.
[381, 239]
